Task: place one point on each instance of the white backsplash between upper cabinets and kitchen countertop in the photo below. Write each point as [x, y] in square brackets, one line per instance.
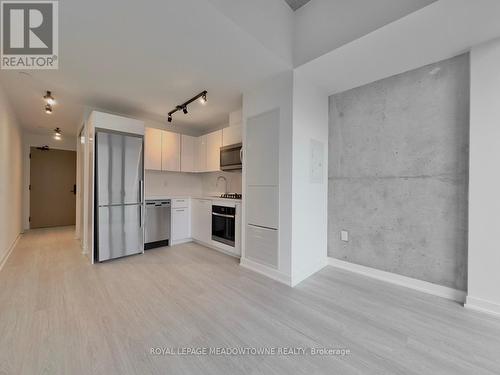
[193, 184]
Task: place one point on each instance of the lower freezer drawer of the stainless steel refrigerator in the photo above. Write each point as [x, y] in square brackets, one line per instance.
[120, 231]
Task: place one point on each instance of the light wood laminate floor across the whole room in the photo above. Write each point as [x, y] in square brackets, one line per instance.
[61, 315]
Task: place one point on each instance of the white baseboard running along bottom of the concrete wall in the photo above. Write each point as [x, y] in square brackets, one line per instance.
[408, 282]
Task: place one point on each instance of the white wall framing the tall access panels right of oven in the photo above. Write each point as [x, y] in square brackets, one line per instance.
[275, 93]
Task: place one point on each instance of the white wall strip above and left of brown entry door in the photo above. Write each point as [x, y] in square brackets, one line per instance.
[38, 140]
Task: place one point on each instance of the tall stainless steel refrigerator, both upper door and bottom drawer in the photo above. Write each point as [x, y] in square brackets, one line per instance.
[119, 176]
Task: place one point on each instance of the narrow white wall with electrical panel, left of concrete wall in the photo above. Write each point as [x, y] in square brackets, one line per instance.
[309, 195]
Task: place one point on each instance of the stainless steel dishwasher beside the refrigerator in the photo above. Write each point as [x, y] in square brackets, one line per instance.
[157, 231]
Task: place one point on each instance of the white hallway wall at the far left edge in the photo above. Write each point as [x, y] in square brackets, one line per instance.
[11, 167]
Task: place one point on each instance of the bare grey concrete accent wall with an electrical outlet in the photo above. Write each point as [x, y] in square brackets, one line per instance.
[398, 173]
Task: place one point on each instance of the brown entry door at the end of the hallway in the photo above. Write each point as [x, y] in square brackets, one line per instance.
[52, 188]
